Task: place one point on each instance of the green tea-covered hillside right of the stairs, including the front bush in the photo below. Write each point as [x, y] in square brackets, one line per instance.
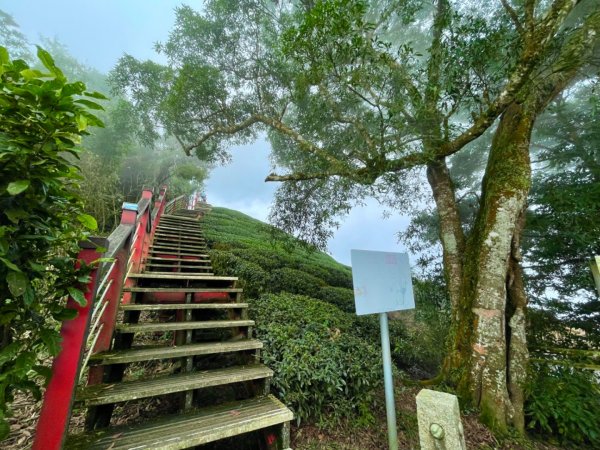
[326, 359]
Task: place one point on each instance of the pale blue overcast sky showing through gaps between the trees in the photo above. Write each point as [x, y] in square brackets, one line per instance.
[98, 32]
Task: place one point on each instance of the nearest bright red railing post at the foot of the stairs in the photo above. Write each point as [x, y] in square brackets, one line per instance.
[58, 398]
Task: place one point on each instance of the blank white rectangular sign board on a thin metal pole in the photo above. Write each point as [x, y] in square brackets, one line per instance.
[382, 282]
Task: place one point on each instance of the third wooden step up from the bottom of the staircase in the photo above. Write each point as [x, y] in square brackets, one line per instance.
[148, 354]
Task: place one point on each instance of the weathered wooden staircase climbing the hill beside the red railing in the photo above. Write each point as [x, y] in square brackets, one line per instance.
[183, 317]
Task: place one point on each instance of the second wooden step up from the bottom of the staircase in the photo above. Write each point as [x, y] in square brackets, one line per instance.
[102, 394]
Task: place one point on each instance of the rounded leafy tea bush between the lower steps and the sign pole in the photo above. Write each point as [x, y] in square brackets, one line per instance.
[323, 371]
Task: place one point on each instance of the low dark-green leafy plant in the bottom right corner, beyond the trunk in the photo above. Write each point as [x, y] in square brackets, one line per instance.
[564, 402]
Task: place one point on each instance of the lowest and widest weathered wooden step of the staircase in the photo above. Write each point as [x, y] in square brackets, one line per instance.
[188, 430]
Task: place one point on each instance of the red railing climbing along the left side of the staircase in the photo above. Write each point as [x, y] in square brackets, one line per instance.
[92, 330]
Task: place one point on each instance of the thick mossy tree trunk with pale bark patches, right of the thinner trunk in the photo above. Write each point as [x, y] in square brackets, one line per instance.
[490, 338]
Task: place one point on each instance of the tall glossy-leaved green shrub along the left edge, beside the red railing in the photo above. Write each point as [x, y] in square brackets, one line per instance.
[41, 214]
